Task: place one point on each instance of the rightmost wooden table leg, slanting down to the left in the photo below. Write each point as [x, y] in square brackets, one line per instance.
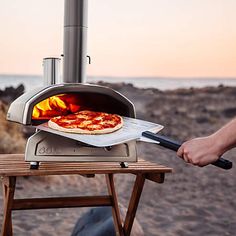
[133, 203]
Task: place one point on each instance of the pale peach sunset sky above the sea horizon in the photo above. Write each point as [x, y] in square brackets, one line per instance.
[157, 38]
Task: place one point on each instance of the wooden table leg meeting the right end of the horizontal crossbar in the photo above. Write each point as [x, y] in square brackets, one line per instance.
[115, 206]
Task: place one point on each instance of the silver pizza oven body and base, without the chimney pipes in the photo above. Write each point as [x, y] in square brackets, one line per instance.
[38, 106]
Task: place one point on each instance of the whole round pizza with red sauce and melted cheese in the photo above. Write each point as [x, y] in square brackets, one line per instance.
[87, 122]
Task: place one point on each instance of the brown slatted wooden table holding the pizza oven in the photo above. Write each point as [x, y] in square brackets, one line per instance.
[13, 165]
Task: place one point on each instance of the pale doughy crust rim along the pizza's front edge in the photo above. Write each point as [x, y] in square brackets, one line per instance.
[55, 126]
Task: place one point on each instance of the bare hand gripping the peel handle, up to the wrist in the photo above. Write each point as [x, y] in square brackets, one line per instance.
[200, 151]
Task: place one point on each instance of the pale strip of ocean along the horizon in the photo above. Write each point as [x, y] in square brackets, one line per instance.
[33, 81]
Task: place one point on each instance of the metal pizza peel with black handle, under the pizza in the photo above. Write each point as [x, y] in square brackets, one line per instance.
[133, 129]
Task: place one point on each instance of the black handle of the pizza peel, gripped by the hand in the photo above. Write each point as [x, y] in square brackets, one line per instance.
[174, 145]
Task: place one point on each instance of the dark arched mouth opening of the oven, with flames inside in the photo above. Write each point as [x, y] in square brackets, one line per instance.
[64, 104]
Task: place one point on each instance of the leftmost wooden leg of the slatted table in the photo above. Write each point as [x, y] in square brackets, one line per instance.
[8, 184]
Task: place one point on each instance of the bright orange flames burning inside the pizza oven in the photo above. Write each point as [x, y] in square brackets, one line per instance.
[57, 105]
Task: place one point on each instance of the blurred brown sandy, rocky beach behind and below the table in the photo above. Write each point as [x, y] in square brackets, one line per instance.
[192, 201]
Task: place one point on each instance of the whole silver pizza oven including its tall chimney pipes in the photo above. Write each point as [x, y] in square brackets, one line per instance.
[69, 94]
